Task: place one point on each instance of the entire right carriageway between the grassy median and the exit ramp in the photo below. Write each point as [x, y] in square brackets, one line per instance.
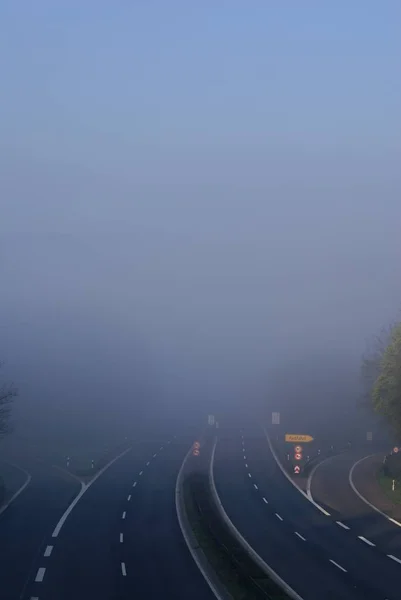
[309, 550]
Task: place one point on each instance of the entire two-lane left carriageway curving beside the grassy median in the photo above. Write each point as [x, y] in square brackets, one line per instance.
[122, 540]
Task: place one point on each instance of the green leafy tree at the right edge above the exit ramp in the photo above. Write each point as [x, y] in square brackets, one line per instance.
[386, 390]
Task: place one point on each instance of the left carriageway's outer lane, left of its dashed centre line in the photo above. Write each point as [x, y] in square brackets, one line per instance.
[84, 562]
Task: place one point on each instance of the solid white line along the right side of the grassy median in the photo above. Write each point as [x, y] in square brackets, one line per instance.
[247, 547]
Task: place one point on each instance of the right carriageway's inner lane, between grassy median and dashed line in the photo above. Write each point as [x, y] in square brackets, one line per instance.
[309, 573]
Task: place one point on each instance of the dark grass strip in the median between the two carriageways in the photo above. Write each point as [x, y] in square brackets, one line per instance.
[243, 579]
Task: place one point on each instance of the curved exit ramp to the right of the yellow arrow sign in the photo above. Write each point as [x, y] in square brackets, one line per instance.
[330, 486]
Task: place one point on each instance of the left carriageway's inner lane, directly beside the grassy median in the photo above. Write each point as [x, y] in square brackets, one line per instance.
[157, 559]
